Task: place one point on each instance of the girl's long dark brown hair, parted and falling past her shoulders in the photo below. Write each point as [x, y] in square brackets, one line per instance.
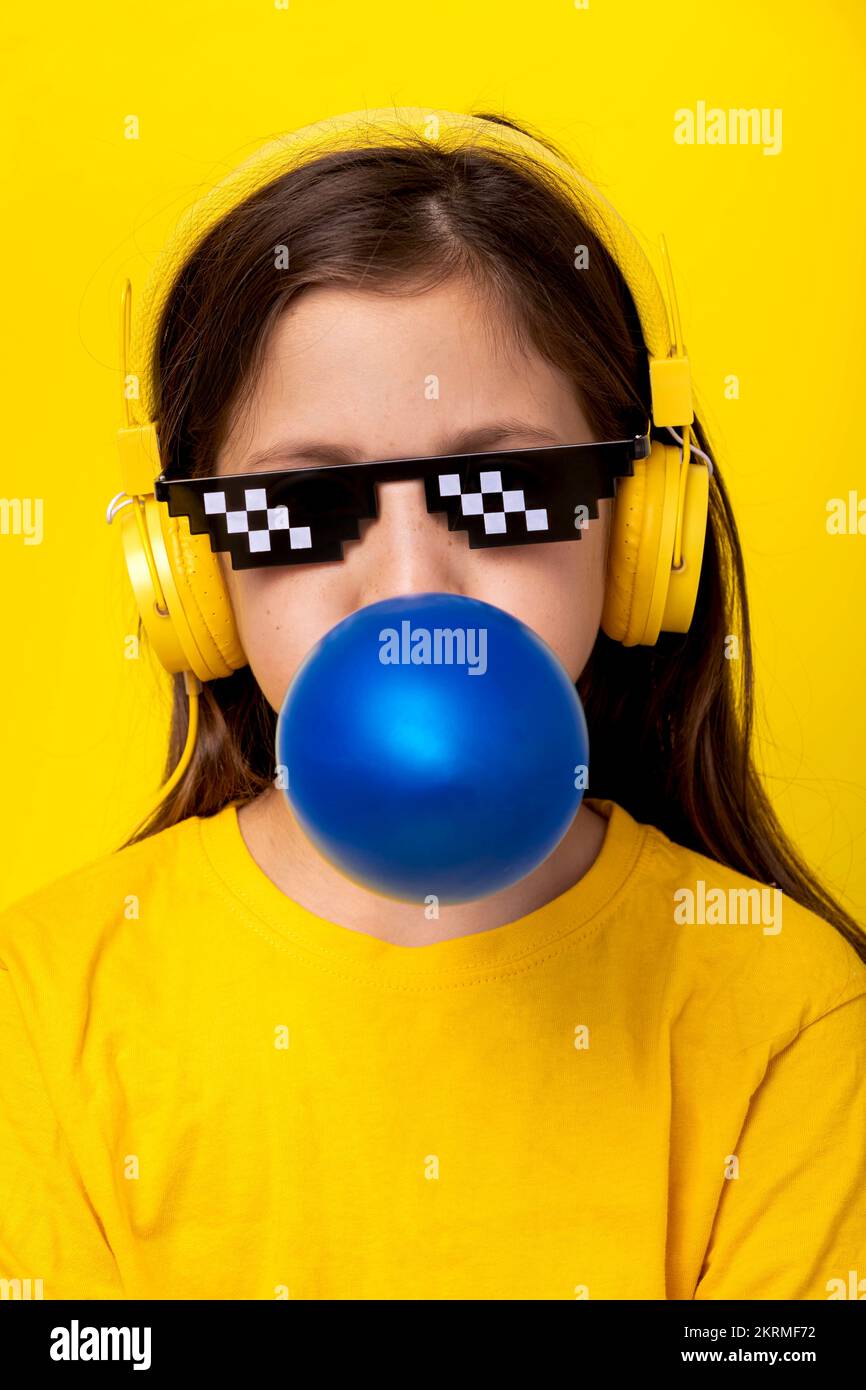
[671, 725]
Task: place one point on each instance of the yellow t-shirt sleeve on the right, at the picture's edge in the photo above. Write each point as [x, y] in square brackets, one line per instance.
[793, 1224]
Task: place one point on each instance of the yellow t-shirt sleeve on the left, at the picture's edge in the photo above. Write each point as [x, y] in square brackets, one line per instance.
[52, 1243]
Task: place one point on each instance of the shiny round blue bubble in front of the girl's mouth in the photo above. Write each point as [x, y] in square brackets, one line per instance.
[433, 747]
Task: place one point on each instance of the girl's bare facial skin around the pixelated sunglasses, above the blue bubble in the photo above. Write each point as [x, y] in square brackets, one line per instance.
[352, 372]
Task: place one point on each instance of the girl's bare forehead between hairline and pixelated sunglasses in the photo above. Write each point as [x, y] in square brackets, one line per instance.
[359, 365]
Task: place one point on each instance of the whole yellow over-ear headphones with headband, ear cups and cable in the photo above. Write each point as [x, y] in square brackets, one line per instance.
[660, 516]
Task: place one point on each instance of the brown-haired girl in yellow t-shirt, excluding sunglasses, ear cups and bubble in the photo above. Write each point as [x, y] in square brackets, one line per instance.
[230, 1072]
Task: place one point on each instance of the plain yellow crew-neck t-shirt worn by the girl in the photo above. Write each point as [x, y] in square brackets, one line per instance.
[208, 1092]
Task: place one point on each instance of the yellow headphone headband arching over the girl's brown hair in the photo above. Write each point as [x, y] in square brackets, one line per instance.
[669, 370]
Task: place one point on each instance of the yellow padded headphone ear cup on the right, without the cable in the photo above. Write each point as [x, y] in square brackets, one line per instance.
[642, 551]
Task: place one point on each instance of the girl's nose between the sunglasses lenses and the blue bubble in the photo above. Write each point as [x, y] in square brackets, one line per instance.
[408, 550]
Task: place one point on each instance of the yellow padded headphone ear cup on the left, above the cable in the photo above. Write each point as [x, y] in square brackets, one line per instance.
[198, 632]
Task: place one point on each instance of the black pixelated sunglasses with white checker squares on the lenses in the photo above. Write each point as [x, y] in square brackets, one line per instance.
[304, 516]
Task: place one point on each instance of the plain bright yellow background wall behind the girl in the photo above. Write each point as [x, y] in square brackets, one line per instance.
[768, 252]
